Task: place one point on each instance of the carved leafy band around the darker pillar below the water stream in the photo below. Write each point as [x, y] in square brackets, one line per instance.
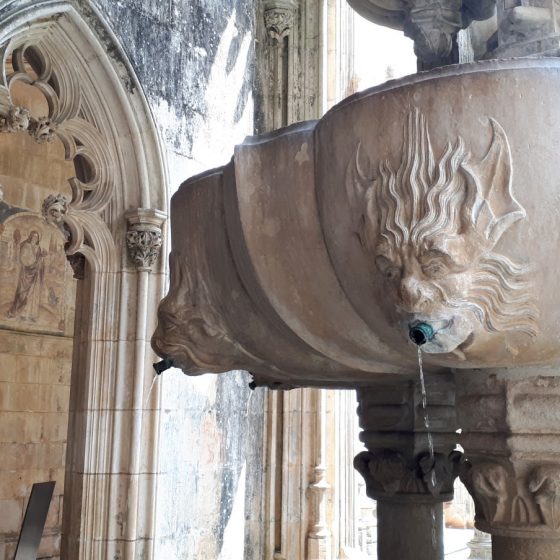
[387, 474]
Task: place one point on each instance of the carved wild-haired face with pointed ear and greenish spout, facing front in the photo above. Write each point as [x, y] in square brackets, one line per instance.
[431, 226]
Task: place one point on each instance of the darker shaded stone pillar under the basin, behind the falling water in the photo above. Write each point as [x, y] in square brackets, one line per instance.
[409, 484]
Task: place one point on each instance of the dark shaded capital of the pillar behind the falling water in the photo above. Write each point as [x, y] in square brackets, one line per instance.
[398, 465]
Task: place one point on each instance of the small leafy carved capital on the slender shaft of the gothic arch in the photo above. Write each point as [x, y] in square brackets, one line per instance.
[144, 237]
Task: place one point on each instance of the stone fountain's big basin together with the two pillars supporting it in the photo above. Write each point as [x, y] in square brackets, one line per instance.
[421, 213]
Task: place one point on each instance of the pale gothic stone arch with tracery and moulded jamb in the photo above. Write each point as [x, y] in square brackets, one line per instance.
[114, 221]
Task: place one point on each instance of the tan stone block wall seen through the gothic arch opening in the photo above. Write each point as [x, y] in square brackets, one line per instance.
[37, 299]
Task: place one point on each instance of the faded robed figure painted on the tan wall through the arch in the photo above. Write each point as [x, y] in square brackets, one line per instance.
[30, 280]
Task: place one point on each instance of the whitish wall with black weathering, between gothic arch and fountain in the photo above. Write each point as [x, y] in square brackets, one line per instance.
[195, 63]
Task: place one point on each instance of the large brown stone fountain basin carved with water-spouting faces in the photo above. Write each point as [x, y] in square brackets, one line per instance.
[430, 200]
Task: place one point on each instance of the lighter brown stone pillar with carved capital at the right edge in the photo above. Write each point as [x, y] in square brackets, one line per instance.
[511, 438]
